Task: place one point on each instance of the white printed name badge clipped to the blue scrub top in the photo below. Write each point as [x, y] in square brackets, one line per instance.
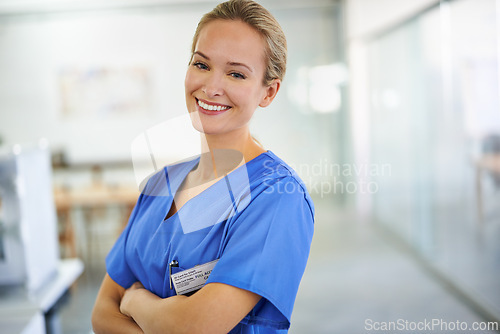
[190, 280]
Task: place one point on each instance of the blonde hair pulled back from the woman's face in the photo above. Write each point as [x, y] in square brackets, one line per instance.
[262, 21]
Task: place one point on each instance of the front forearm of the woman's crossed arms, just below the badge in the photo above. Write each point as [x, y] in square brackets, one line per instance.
[215, 308]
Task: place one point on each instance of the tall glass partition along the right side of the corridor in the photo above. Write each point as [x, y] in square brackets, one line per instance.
[434, 106]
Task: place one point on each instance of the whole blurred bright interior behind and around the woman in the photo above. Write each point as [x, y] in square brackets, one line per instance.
[390, 113]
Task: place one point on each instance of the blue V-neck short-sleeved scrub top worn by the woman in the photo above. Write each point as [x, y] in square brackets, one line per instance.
[258, 221]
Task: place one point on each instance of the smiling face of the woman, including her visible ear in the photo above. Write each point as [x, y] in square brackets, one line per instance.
[224, 81]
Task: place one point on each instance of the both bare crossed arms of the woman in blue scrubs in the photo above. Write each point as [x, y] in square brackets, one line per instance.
[216, 308]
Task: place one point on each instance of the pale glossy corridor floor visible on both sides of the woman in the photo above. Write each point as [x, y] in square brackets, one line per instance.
[356, 281]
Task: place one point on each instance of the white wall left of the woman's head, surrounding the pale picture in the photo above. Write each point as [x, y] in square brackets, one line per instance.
[34, 51]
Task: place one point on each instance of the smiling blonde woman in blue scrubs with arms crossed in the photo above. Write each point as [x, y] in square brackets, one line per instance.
[253, 248]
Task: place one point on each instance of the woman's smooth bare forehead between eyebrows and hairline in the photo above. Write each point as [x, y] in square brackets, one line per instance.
[233, 40]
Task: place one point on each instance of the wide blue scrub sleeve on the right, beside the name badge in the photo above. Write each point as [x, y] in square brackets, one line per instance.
[266, 249]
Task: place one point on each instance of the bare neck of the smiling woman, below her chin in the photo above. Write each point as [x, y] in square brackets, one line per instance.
[222, 153]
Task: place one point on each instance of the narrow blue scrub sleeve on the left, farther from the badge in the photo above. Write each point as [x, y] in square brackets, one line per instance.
[116, 262]
